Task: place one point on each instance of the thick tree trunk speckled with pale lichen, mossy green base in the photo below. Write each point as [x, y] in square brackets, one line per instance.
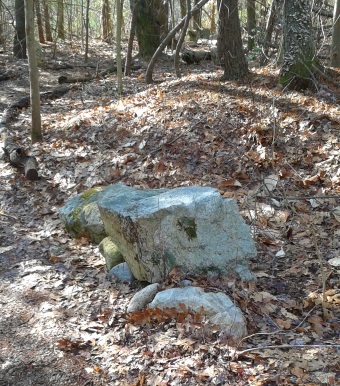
[298, 46]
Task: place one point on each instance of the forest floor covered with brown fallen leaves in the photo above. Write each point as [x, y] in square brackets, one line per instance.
[63, 322]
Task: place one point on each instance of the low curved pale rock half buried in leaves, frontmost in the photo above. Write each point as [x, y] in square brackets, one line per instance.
[218, 308]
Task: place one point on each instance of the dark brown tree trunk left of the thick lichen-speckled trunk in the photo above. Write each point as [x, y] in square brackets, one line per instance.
[229, 43]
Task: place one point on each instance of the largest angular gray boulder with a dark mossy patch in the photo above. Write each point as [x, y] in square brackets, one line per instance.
[192, 228]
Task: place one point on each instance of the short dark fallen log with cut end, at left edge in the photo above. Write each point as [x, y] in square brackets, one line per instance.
[18, 158]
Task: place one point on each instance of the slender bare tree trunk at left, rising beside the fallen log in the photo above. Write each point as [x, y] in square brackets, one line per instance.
[33, 72]
